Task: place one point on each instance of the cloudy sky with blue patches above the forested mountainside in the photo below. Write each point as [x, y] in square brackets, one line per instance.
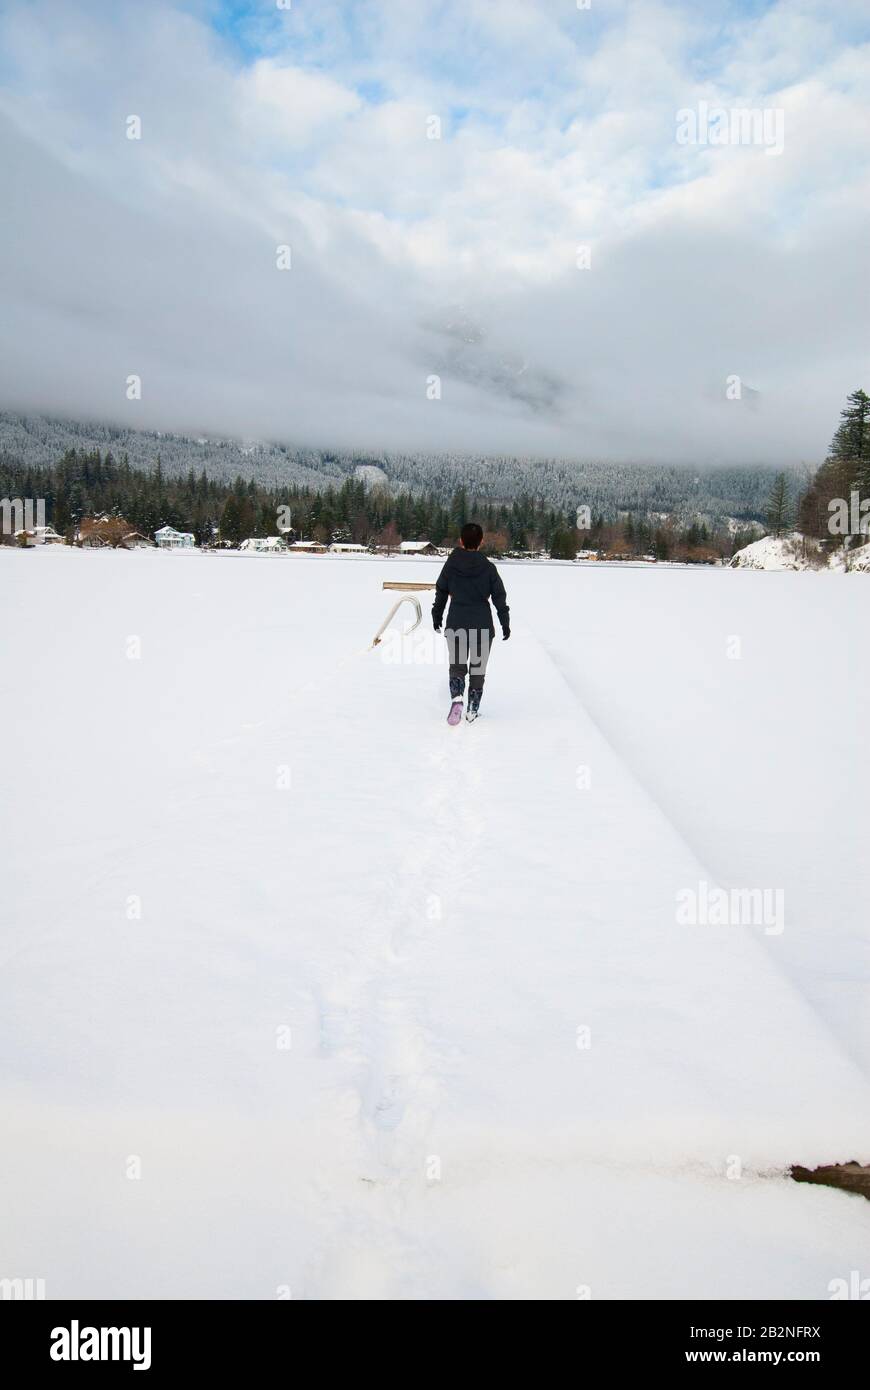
[457, 256]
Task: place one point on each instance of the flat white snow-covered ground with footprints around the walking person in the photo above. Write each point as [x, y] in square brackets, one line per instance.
[306, 993]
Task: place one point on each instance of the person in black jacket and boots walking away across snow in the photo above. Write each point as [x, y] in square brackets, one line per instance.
[470, 582]
